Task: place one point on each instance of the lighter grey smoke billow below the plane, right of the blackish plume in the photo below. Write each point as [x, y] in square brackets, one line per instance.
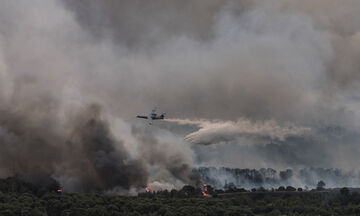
[168, 157]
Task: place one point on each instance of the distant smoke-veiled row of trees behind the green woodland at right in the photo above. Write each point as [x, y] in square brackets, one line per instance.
[269, 177]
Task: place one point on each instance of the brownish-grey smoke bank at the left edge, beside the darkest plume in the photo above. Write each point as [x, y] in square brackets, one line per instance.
[28, 145]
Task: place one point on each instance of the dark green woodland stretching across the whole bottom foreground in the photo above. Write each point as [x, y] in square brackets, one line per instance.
[19, 197]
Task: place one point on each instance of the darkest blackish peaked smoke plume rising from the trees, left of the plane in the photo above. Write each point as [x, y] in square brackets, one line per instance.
[100, 161]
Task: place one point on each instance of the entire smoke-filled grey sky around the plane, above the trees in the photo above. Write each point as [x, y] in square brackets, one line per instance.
[245, 84]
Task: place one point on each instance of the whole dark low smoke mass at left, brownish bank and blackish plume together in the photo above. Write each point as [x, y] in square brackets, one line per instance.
[88, 158]
